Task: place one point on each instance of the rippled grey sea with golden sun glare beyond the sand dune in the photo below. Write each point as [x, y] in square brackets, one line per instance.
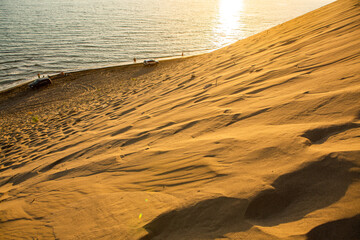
[49, 36]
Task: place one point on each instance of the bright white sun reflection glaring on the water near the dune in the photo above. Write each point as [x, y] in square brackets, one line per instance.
[229, 20]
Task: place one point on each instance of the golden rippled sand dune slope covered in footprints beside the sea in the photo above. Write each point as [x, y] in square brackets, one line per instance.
[258, 140]
